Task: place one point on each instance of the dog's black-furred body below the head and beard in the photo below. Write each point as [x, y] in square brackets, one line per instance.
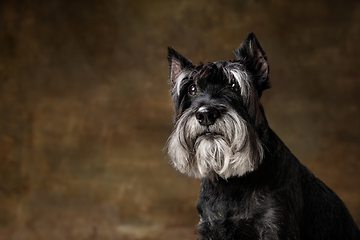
[281, 200]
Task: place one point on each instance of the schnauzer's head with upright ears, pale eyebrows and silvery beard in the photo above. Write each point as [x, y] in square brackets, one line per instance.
[218, 112]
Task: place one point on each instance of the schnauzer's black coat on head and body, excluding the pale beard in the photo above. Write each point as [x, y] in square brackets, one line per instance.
[278, 199]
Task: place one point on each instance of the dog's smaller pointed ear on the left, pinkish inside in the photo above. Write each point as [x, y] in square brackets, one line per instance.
[176, 64]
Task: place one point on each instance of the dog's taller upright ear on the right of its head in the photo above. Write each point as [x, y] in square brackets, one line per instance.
[251, 54]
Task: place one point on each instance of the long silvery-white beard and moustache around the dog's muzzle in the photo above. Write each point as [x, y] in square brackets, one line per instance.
[223, 148]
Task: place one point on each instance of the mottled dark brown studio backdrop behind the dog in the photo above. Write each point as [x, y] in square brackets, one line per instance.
[85, 110]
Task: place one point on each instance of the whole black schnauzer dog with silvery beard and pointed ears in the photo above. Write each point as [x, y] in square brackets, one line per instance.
[252, 186]
